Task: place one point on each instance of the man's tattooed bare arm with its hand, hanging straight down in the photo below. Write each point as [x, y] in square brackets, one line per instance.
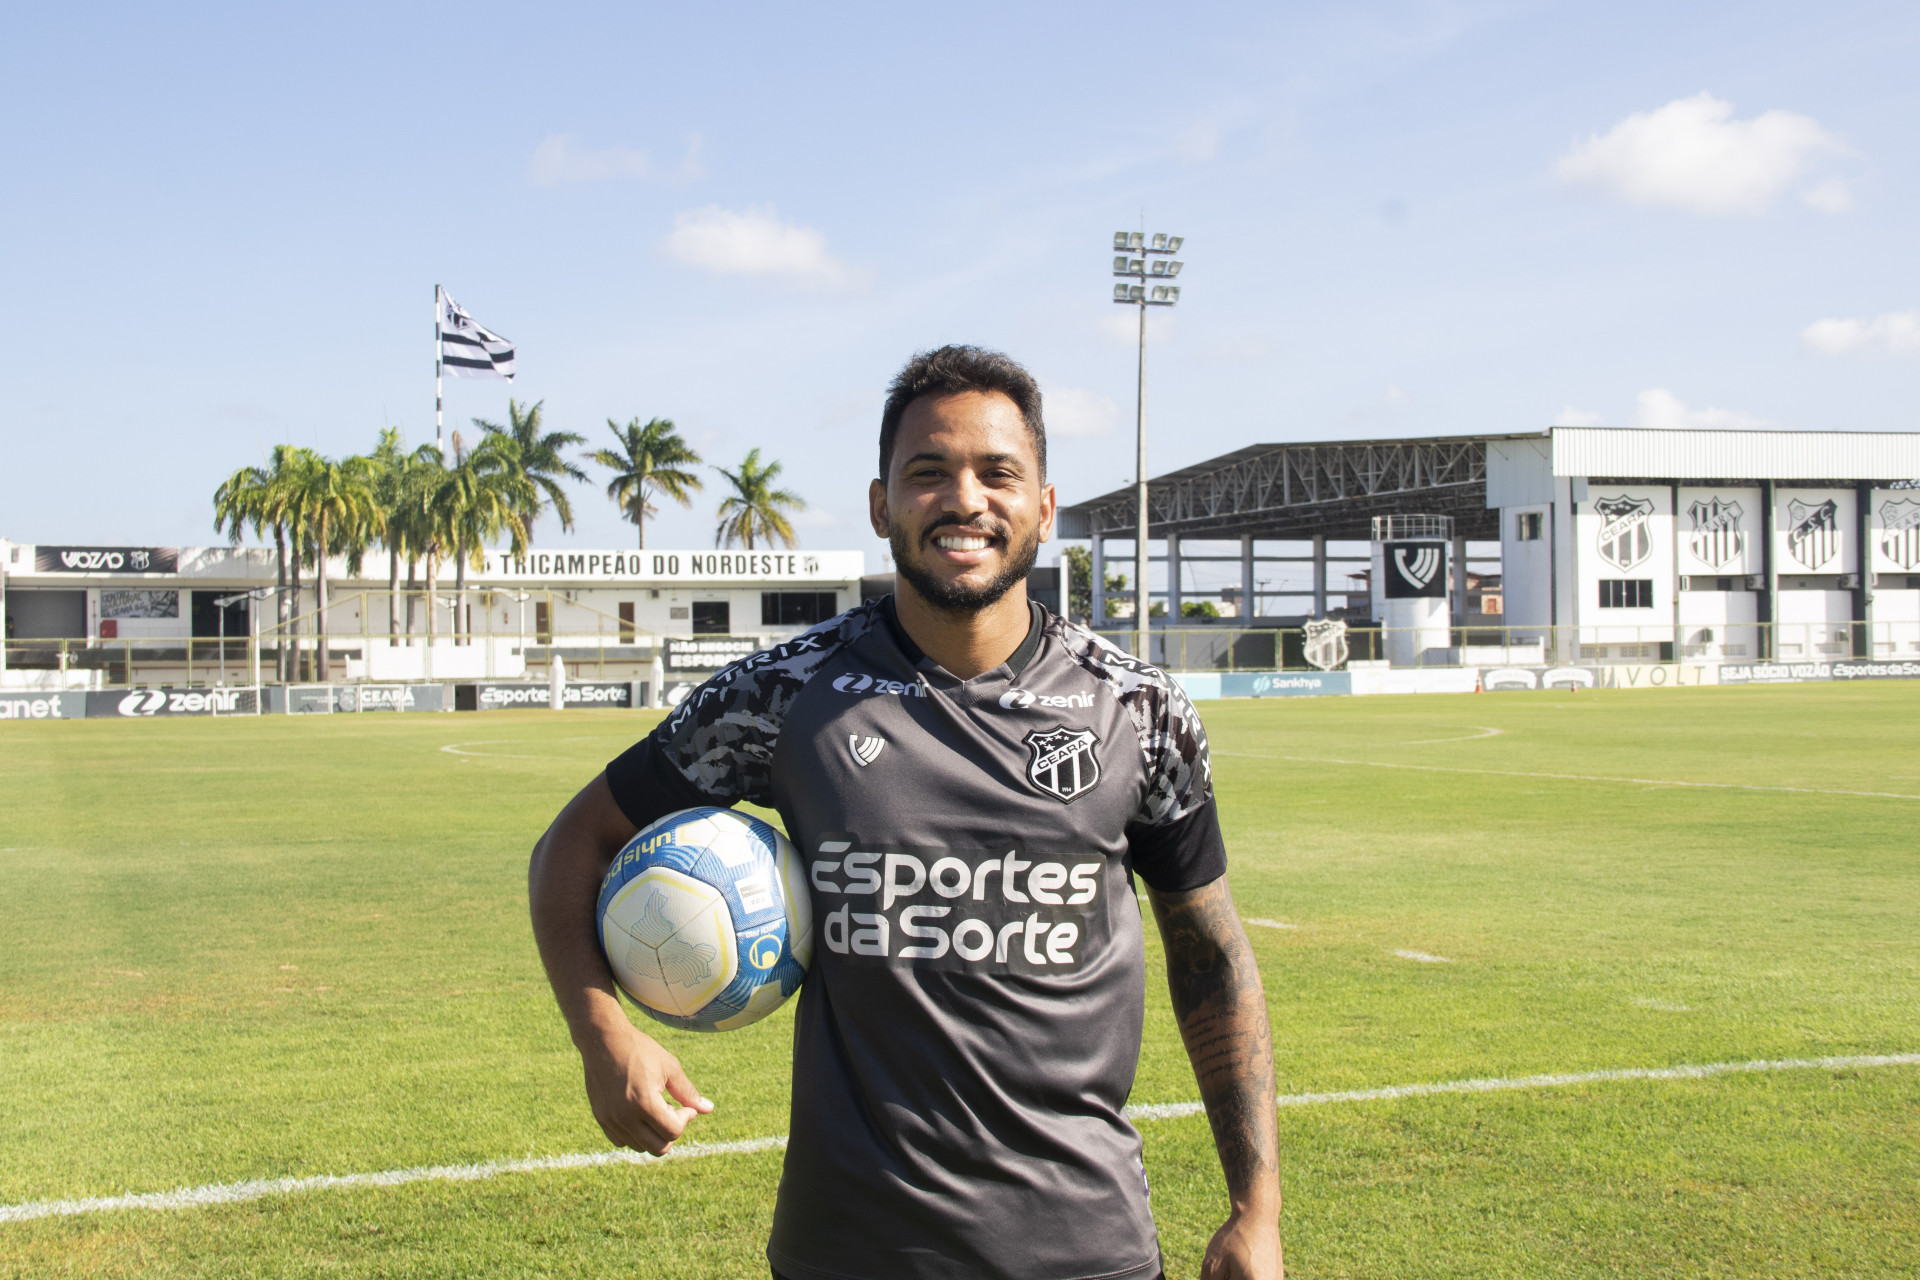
[1222, 1012]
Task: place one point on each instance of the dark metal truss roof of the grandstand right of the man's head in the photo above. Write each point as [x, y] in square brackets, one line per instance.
[1289, 492]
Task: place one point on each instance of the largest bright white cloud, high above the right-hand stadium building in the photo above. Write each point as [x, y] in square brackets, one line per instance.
[1694, 156]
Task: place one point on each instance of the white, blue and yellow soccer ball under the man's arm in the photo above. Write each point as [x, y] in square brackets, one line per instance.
[706, 920]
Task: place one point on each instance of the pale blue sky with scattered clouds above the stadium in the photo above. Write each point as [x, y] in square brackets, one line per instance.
[222, 227]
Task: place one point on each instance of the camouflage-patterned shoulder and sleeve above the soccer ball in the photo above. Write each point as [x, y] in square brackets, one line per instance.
[721, 740]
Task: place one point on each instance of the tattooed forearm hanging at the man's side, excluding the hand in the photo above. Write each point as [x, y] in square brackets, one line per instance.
[1222, 1012]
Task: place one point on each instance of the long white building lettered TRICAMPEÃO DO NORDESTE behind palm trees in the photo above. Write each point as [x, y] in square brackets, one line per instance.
[89, 617]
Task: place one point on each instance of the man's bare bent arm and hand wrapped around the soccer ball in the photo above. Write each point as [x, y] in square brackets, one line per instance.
[627, 1072]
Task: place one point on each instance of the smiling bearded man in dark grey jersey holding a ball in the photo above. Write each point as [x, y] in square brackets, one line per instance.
[974, 784]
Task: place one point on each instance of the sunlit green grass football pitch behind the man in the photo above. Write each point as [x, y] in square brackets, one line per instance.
[256, 949]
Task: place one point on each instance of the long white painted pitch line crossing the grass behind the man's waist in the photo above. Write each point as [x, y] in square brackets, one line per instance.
[260, 1189]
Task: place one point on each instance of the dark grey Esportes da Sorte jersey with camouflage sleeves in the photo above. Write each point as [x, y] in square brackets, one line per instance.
[971, 1028]
